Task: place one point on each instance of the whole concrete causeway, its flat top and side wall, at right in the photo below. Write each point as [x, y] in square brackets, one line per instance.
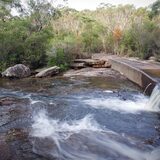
[146, 74]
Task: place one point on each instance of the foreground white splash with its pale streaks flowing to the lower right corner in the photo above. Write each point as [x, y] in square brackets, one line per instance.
[63, 134]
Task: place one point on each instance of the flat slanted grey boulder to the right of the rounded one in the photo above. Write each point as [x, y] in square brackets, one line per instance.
[49, 72]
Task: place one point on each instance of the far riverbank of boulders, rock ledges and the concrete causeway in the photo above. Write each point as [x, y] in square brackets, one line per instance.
[146, 74]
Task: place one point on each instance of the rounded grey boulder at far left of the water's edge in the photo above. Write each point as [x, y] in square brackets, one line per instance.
[17, 71]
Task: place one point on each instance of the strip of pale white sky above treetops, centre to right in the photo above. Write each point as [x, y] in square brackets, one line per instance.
[92, 4]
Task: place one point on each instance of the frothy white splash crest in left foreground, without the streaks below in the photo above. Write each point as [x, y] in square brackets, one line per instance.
[45, 127]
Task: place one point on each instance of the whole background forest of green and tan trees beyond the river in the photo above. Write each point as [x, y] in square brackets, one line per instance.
[44, 35]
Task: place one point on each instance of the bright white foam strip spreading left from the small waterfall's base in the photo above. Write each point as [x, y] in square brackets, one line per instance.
[117, 104]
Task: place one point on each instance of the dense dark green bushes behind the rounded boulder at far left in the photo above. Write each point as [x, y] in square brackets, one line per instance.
[18, 44]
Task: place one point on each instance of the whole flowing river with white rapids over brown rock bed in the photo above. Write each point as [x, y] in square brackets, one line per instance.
[77, 119]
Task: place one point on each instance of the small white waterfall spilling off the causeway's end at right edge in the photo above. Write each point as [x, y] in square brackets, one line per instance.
[154, 102]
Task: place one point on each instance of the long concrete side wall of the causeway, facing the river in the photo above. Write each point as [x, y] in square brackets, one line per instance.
[136, 75]
